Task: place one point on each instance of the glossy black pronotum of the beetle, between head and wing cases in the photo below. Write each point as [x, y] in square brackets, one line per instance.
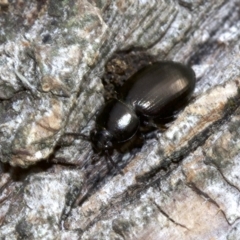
[118, 119]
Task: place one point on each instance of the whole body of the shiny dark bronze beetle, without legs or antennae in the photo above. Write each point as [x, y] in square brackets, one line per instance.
[156, 91]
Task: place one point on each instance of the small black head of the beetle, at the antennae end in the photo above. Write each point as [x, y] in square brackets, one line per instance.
[101, 140]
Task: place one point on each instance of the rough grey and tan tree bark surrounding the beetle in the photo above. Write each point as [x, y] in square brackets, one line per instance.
[182, 184]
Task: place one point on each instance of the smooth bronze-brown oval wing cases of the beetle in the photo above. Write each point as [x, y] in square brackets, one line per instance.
[159, 89]
